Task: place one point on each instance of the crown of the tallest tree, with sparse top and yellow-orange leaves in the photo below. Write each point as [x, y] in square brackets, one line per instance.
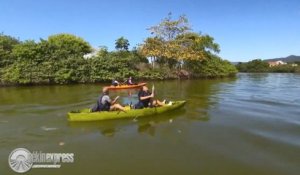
[173, 42]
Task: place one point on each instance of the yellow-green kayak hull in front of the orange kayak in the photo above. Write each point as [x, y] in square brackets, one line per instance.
[86, 115]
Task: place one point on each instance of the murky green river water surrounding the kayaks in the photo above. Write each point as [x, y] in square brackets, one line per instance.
[239, 126]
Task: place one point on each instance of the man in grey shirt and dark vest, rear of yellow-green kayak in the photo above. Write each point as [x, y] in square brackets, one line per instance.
[104, 103]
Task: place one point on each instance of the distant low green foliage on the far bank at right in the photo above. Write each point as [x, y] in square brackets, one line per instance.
[258, 65]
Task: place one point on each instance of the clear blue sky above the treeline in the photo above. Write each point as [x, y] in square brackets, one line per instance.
[245, 29]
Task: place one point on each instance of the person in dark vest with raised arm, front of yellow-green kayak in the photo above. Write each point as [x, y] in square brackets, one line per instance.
[146, 99]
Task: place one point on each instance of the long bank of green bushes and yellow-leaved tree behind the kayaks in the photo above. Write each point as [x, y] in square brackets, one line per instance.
[172, 51]
